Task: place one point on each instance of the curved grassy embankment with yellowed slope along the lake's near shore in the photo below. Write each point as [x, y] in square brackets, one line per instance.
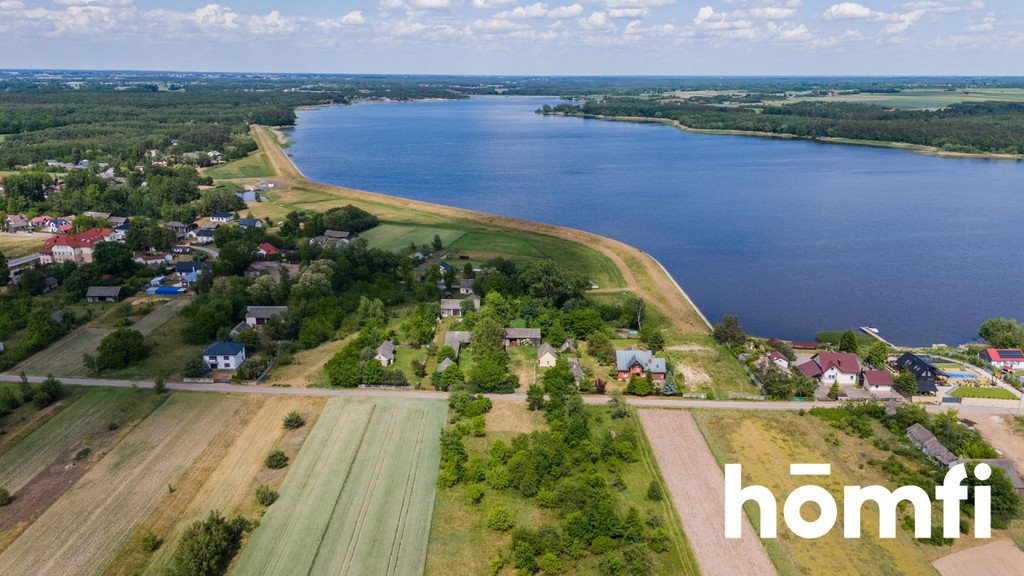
[475, 237]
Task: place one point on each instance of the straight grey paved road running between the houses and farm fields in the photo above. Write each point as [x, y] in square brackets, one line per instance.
[432, 395]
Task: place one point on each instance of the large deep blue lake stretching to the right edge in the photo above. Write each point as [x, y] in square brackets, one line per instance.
[794, 237]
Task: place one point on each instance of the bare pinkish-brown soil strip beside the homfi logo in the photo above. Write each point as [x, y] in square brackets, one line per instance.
[696, 483]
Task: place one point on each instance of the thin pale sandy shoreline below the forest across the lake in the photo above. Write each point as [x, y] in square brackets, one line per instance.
[914, 149]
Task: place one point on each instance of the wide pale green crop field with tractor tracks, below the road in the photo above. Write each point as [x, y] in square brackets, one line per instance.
[360, 496]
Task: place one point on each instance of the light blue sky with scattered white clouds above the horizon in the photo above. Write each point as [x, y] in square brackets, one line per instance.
[572, 37]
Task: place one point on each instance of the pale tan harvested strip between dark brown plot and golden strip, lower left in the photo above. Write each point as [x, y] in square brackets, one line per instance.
[116, 495]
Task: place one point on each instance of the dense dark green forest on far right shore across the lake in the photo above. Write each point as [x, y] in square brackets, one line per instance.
[968, 128]
